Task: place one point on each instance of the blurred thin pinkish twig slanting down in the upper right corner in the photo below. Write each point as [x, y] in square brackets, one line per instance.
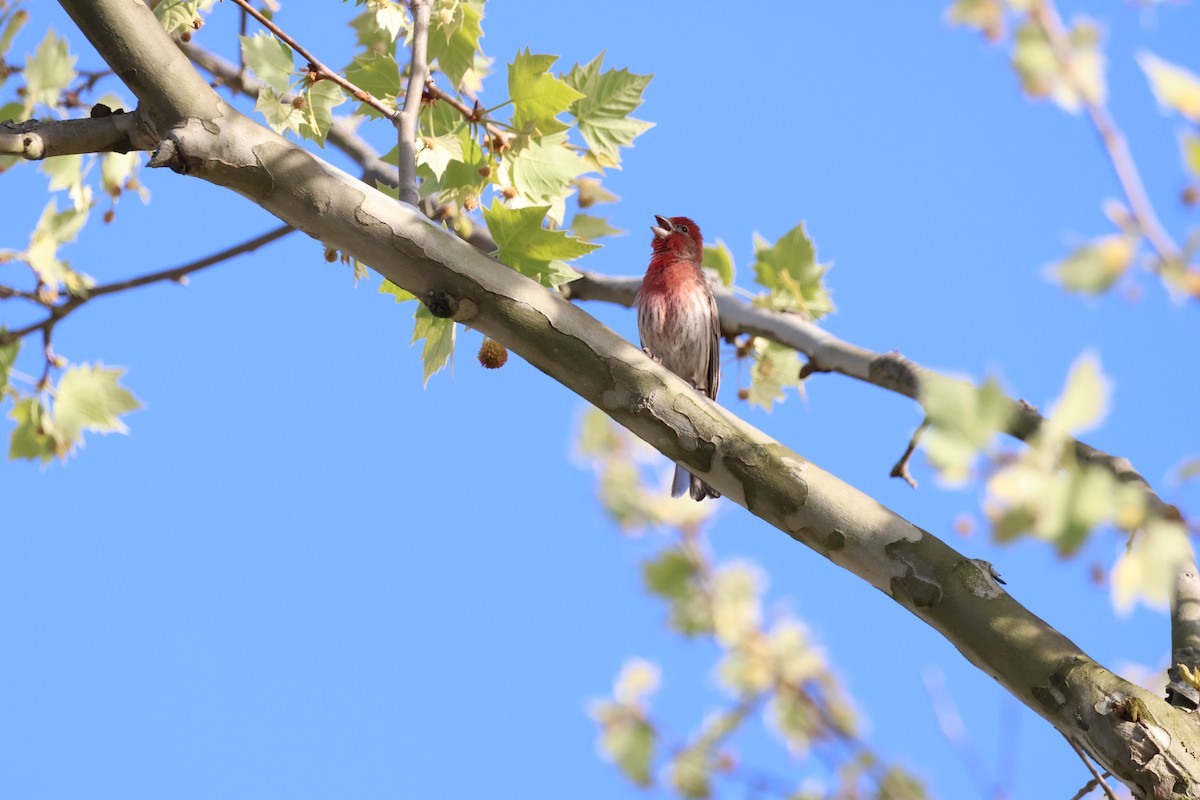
[1047, 16]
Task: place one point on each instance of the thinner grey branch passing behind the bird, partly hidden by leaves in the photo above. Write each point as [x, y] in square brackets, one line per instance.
[827, 353]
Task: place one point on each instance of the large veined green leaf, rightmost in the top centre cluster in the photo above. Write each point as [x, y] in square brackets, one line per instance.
[603, 112]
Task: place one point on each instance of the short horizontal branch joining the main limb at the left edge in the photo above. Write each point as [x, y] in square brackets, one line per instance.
[37, 140]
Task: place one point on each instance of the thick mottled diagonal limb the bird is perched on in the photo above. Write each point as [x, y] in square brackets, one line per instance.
[1139, 738]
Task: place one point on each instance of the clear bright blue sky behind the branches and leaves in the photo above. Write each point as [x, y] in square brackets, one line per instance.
[302, 576]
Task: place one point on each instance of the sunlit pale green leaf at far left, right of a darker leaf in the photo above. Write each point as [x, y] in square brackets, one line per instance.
[89, 399]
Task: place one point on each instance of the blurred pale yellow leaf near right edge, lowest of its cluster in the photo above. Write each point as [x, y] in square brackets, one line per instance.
[1147, 572]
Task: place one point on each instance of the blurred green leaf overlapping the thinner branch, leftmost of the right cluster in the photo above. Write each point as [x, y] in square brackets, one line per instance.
[963, 422]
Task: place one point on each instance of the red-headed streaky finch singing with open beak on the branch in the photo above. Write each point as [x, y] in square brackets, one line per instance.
[677, 322]
